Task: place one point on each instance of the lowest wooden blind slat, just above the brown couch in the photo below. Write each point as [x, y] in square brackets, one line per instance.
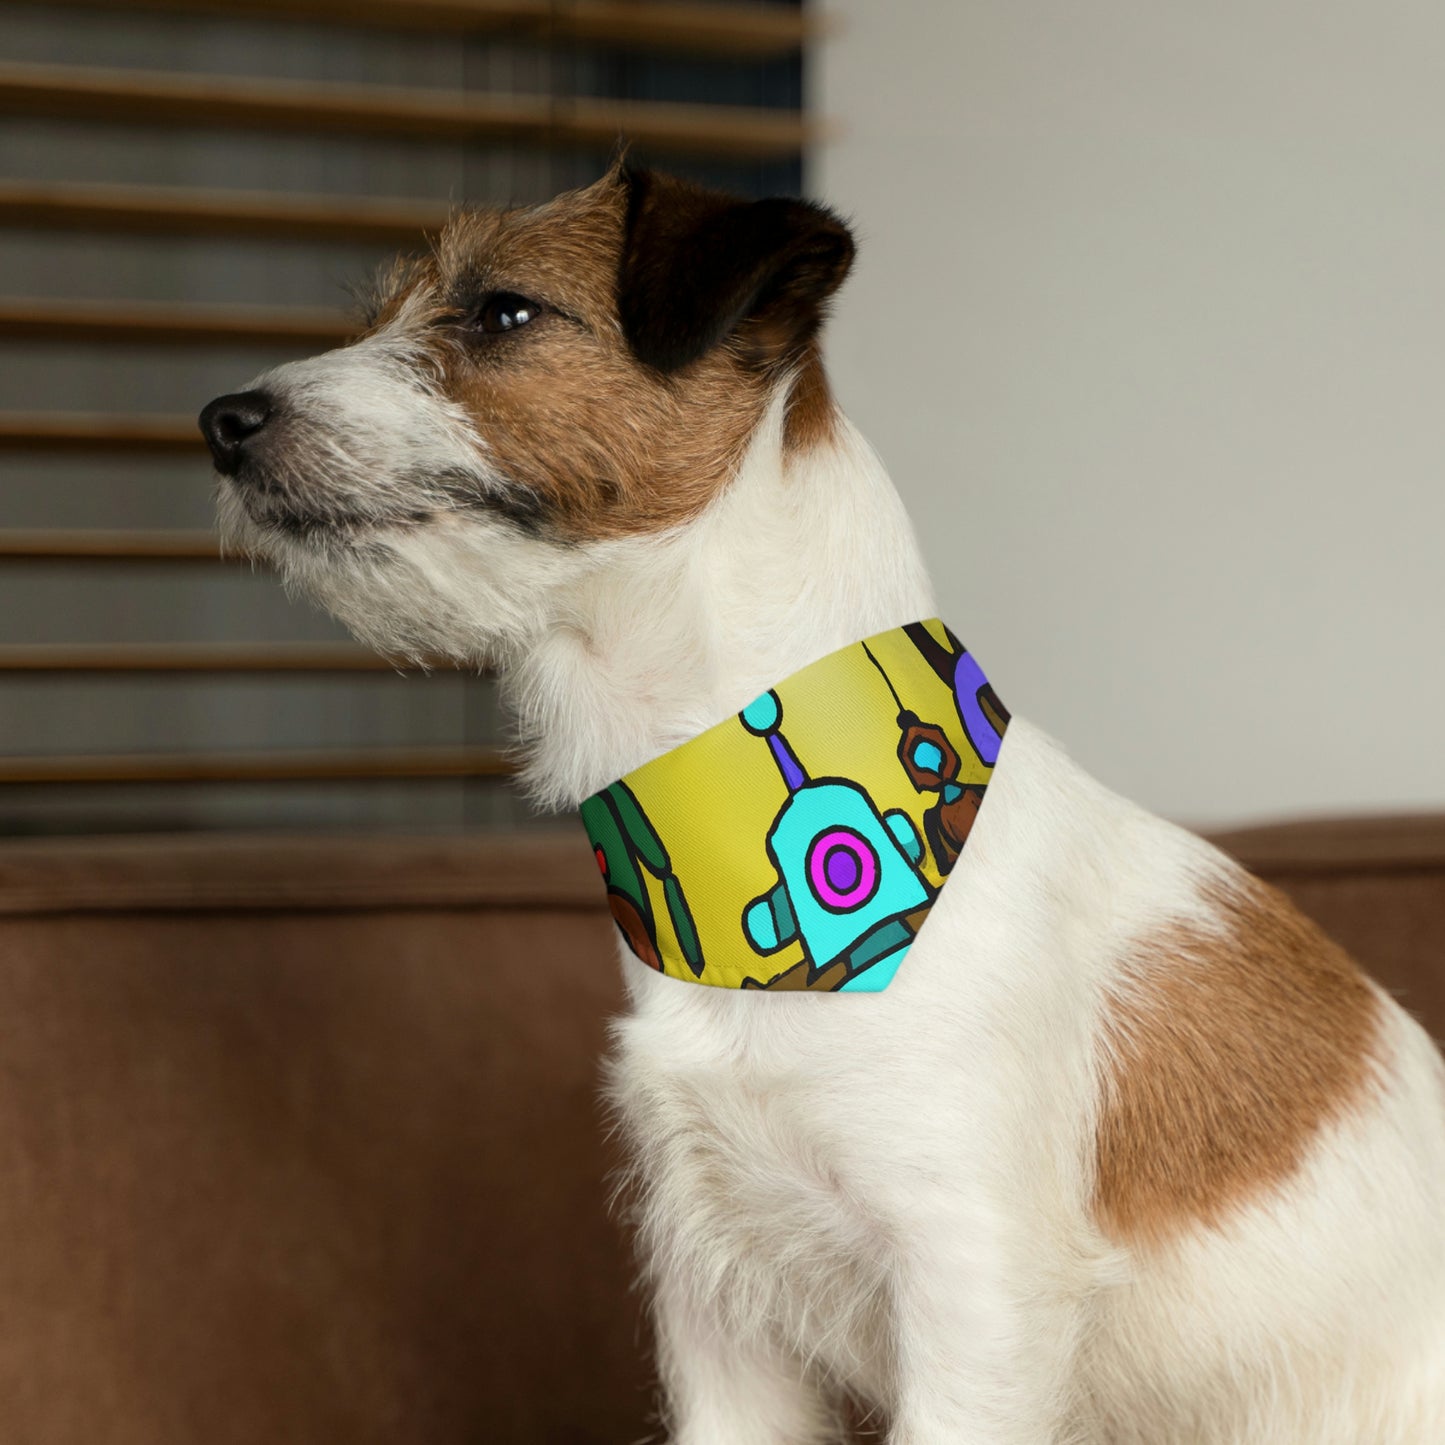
[356, 765]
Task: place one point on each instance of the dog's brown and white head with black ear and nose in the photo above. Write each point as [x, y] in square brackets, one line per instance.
[545, 382]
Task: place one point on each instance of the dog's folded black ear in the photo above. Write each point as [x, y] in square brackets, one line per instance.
[700, 267]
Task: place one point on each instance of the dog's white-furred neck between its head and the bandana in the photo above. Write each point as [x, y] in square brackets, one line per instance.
[663, 638]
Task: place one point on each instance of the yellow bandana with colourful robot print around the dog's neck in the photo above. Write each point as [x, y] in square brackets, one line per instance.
[803, 843]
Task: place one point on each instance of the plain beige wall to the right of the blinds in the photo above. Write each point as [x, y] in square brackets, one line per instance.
[1149, 326]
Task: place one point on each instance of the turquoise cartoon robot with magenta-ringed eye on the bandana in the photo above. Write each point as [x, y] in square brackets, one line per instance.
[849, 887]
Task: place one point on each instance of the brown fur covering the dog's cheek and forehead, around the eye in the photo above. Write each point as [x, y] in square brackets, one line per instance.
[593, 441]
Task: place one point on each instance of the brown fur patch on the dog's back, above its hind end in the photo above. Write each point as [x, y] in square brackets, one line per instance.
[1226, 1056]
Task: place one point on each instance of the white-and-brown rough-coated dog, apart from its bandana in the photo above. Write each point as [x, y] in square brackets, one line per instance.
[1128, 1154]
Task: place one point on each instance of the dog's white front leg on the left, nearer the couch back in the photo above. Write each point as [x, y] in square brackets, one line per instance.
[722, 1388]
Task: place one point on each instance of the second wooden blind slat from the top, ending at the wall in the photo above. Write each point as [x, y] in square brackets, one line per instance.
[219, 102]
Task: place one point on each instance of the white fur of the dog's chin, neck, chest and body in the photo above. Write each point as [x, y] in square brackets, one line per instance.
[889, 1194]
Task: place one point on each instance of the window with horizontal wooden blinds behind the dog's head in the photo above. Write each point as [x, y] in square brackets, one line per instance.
[189, 193]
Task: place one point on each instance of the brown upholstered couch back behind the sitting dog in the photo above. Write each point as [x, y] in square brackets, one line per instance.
[300, 1141]
